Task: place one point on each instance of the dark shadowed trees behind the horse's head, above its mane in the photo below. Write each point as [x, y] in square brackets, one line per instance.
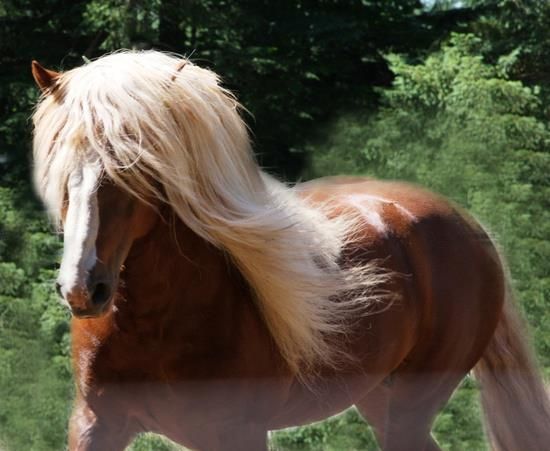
[293, 65]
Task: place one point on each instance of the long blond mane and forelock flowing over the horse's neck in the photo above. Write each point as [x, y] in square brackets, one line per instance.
[176, 135]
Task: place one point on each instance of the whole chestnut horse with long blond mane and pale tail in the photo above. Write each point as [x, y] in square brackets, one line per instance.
[212, 303]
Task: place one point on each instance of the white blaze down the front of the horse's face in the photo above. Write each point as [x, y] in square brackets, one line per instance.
[80, 229]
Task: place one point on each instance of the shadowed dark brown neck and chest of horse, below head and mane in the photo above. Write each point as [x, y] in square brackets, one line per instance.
[184, 305]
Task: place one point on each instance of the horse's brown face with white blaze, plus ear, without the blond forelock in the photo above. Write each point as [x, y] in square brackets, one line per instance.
[99, 220]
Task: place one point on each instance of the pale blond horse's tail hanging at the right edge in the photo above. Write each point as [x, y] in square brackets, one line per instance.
[515, 403]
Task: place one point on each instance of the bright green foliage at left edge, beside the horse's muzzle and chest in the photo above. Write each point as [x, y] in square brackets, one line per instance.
[35, 382]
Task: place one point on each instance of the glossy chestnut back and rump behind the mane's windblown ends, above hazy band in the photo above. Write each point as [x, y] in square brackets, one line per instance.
[447, 274]
